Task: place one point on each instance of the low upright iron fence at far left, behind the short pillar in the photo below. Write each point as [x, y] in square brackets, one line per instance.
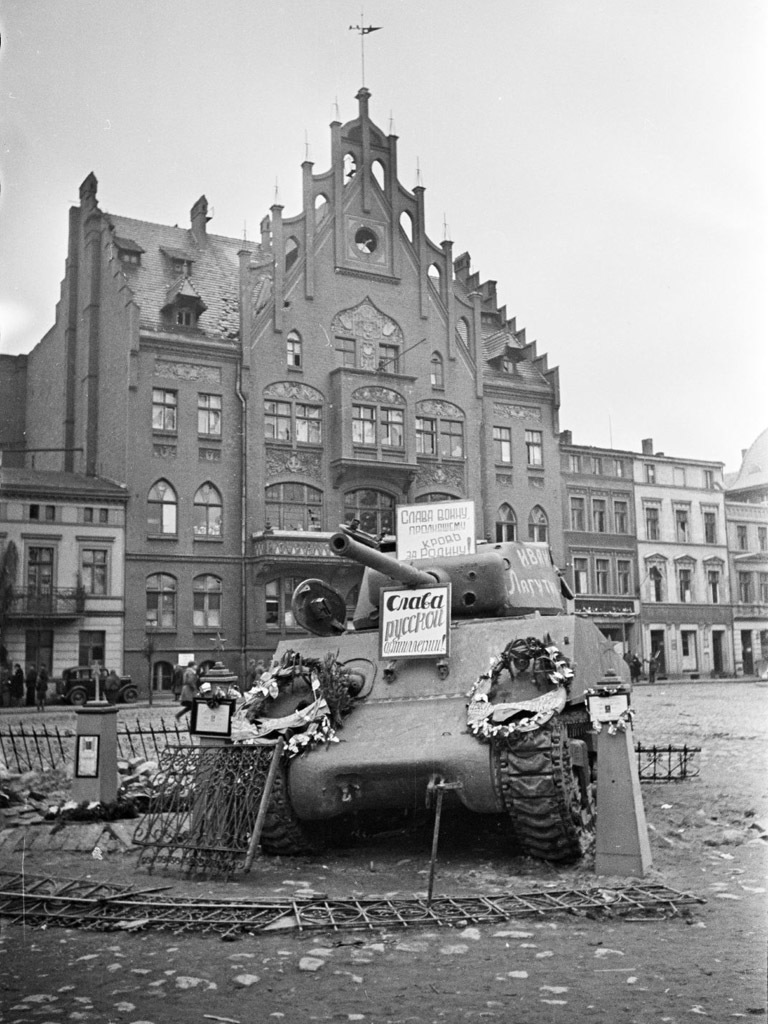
[45, 748]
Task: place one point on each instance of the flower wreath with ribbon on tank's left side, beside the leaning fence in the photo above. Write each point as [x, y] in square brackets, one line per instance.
[325, 696]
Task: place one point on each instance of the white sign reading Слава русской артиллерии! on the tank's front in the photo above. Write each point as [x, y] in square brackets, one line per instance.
[415, 623]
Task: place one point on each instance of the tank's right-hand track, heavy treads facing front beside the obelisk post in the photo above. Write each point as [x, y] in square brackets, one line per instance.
[533, 773]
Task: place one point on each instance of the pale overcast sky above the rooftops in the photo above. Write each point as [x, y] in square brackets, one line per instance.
[605, 161]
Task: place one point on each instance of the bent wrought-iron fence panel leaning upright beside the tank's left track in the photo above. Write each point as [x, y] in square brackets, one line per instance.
[204, 808]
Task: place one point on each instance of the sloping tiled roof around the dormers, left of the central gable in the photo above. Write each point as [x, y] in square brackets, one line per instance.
[214, 274]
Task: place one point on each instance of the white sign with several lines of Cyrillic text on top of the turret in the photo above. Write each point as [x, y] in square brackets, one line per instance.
[436, 531]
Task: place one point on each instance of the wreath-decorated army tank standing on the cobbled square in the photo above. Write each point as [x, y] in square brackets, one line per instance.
[499, 720]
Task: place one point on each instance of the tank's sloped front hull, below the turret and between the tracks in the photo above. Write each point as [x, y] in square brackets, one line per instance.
[409, 730]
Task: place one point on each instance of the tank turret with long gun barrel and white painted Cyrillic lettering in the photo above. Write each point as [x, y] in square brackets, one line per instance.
[510, 579]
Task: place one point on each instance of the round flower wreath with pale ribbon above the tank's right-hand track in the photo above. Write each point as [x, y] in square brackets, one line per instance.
[543, 663]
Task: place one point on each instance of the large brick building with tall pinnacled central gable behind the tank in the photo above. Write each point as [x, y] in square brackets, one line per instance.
[250, 397]
